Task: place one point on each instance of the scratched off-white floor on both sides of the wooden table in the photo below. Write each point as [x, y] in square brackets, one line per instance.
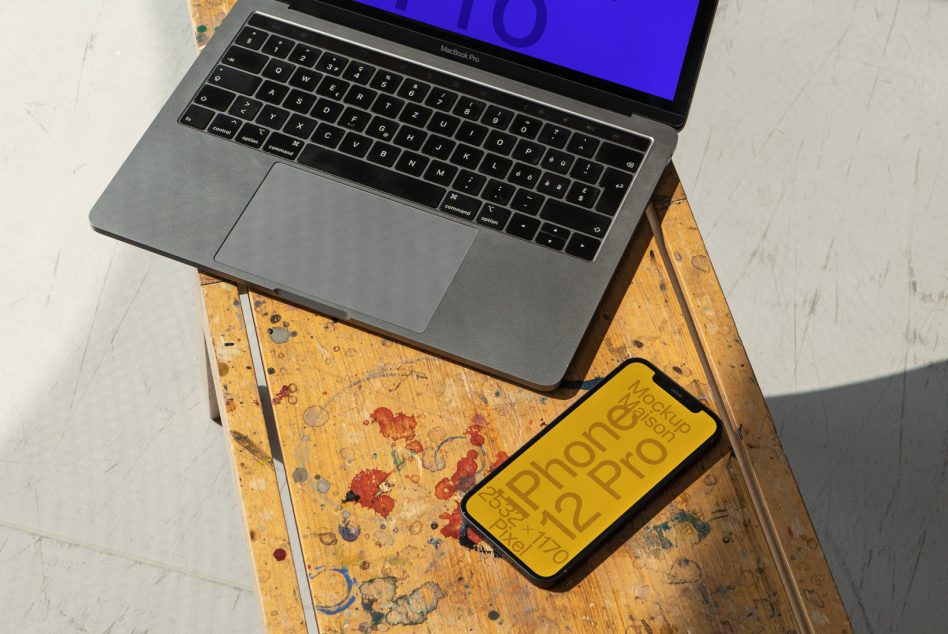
[813, 160]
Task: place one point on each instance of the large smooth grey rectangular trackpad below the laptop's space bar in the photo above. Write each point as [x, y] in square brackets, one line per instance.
[353, 248]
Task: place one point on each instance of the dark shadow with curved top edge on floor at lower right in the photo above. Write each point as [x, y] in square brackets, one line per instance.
[871, 460]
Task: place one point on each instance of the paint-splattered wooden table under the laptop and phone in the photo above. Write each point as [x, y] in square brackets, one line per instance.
[371, 435]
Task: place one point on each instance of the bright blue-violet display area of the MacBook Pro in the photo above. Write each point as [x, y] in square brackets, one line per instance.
[636, 44]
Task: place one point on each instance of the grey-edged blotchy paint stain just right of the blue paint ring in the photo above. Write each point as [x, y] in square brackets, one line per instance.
[380, 599]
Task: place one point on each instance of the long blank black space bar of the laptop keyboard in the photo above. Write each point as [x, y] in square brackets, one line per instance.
[385, 180]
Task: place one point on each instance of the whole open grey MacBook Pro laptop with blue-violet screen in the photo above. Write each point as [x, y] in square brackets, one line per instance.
[461, 175]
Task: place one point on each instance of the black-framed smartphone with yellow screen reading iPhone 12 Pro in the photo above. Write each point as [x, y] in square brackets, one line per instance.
[554, 501]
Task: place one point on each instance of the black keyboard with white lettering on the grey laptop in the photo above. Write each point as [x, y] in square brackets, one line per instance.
[486, 157]
